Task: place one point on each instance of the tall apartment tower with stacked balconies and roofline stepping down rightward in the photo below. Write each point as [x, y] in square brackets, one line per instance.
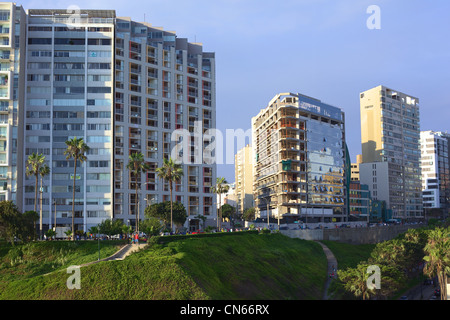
[162, 83]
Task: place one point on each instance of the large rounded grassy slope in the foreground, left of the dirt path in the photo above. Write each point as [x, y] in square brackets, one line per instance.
[241, 266]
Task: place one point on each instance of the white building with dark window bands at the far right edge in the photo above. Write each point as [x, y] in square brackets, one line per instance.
[435, 170]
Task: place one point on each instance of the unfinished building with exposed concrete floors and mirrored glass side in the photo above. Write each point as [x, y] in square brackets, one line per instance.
[300, 160]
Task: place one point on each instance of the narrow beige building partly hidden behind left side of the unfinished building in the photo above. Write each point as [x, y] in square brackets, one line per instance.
[244, 178]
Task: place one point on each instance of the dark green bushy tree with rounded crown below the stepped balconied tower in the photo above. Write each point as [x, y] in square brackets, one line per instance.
[167, 212]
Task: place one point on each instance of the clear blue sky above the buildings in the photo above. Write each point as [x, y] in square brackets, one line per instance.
[320, 48]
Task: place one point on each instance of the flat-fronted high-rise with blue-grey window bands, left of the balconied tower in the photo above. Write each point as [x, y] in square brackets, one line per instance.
[69, 93]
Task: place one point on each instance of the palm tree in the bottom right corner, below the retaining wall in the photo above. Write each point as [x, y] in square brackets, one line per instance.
[437, 257]
